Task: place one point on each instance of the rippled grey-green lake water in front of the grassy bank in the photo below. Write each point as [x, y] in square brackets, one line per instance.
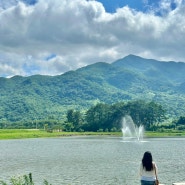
[90, 160]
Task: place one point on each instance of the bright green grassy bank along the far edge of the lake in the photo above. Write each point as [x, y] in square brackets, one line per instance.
[36, 133]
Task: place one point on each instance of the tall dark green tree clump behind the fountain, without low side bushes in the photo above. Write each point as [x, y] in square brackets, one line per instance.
[105, 117]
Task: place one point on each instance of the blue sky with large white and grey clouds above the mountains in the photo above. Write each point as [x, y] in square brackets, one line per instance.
[51, 37]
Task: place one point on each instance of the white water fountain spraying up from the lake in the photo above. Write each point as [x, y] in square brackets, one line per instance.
[131, 130]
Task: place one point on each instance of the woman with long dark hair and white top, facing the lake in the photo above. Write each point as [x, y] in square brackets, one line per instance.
[148, 170]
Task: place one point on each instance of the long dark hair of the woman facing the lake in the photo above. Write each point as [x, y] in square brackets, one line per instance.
[147, 161]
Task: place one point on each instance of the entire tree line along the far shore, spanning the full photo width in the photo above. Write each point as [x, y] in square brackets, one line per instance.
[105, 118]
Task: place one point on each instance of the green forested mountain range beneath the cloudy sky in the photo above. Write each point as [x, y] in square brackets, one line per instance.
[130, 78]
